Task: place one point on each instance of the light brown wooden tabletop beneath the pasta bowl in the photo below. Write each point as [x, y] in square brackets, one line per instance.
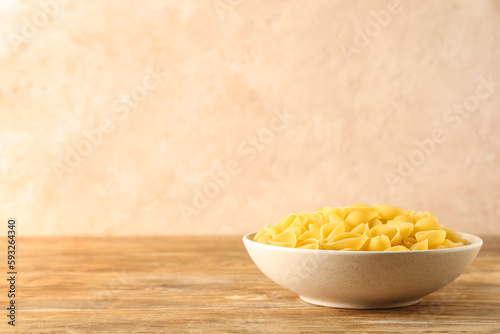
[210, 285]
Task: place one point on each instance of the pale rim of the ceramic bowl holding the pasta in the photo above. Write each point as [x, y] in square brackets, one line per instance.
[476, 242]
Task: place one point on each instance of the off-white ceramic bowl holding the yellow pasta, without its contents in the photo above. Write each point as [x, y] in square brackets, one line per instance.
[360, 279]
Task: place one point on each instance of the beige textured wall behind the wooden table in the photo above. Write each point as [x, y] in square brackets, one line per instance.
[288, 104]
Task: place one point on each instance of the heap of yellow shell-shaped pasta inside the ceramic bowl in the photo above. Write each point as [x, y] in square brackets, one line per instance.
[361, 227]
